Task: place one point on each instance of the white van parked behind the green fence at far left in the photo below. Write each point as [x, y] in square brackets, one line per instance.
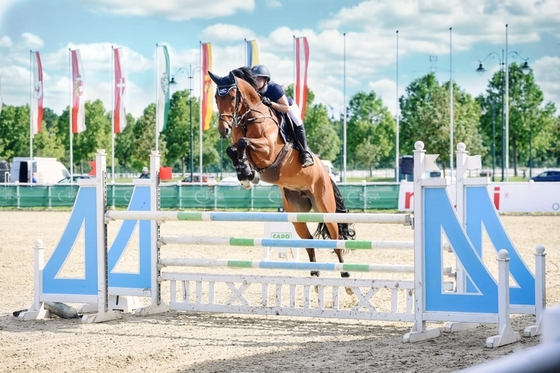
[44, 170]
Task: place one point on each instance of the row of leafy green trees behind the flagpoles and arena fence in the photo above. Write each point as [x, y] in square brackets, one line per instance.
[534, 129]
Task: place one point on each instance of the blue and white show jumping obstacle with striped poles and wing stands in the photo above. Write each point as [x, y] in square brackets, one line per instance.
[475, 297]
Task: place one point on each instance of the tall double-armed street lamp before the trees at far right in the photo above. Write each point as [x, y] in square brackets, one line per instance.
[505, 97]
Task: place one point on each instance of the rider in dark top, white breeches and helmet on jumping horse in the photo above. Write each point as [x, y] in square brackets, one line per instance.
[273, 95]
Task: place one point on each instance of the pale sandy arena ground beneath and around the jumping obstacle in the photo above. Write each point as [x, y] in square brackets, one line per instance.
[204, 342]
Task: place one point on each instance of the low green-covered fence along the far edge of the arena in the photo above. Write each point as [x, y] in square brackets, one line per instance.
[360, 196]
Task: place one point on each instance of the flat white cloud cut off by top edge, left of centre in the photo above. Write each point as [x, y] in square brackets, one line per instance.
[176, 10]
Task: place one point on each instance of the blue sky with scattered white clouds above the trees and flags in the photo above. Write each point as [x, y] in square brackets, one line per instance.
[354, 44]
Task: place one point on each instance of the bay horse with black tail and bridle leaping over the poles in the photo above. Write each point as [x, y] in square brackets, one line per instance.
[259, 151]
